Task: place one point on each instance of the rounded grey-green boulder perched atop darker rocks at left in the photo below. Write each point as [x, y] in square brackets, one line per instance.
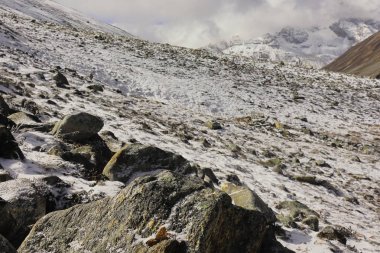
[78, 127]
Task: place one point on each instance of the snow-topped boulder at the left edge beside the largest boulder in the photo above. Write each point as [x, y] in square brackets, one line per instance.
[22, 203]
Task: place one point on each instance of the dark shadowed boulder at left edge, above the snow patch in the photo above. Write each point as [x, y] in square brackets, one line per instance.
[8, 146]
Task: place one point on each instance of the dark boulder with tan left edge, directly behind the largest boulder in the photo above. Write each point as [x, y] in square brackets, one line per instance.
[135, 159]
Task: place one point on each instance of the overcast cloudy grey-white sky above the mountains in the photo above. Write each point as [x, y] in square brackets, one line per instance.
[195, 23]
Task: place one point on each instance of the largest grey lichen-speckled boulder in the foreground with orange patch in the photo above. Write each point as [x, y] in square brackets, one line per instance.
[169, 212]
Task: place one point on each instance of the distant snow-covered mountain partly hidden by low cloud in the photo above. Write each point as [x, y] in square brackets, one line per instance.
[316, 46]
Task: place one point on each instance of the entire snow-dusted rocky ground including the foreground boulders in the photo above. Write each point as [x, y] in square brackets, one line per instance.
[114, 144]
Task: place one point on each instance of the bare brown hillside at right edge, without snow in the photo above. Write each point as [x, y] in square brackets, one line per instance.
[362, 59]
